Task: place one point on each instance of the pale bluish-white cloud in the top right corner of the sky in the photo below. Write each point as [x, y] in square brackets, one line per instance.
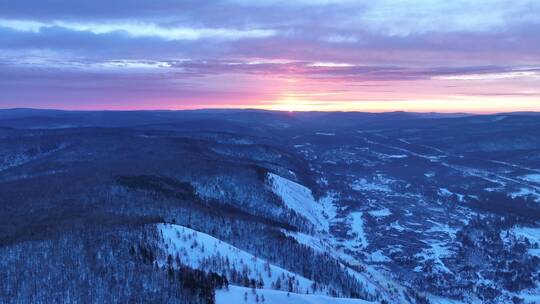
[409, 17]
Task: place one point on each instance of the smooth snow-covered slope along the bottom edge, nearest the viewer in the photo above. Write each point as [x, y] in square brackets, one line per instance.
[239, 295]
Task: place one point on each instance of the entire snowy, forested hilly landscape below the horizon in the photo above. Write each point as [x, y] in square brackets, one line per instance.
[240, 206]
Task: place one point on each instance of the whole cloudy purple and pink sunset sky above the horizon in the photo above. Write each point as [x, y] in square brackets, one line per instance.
[343, 55]
